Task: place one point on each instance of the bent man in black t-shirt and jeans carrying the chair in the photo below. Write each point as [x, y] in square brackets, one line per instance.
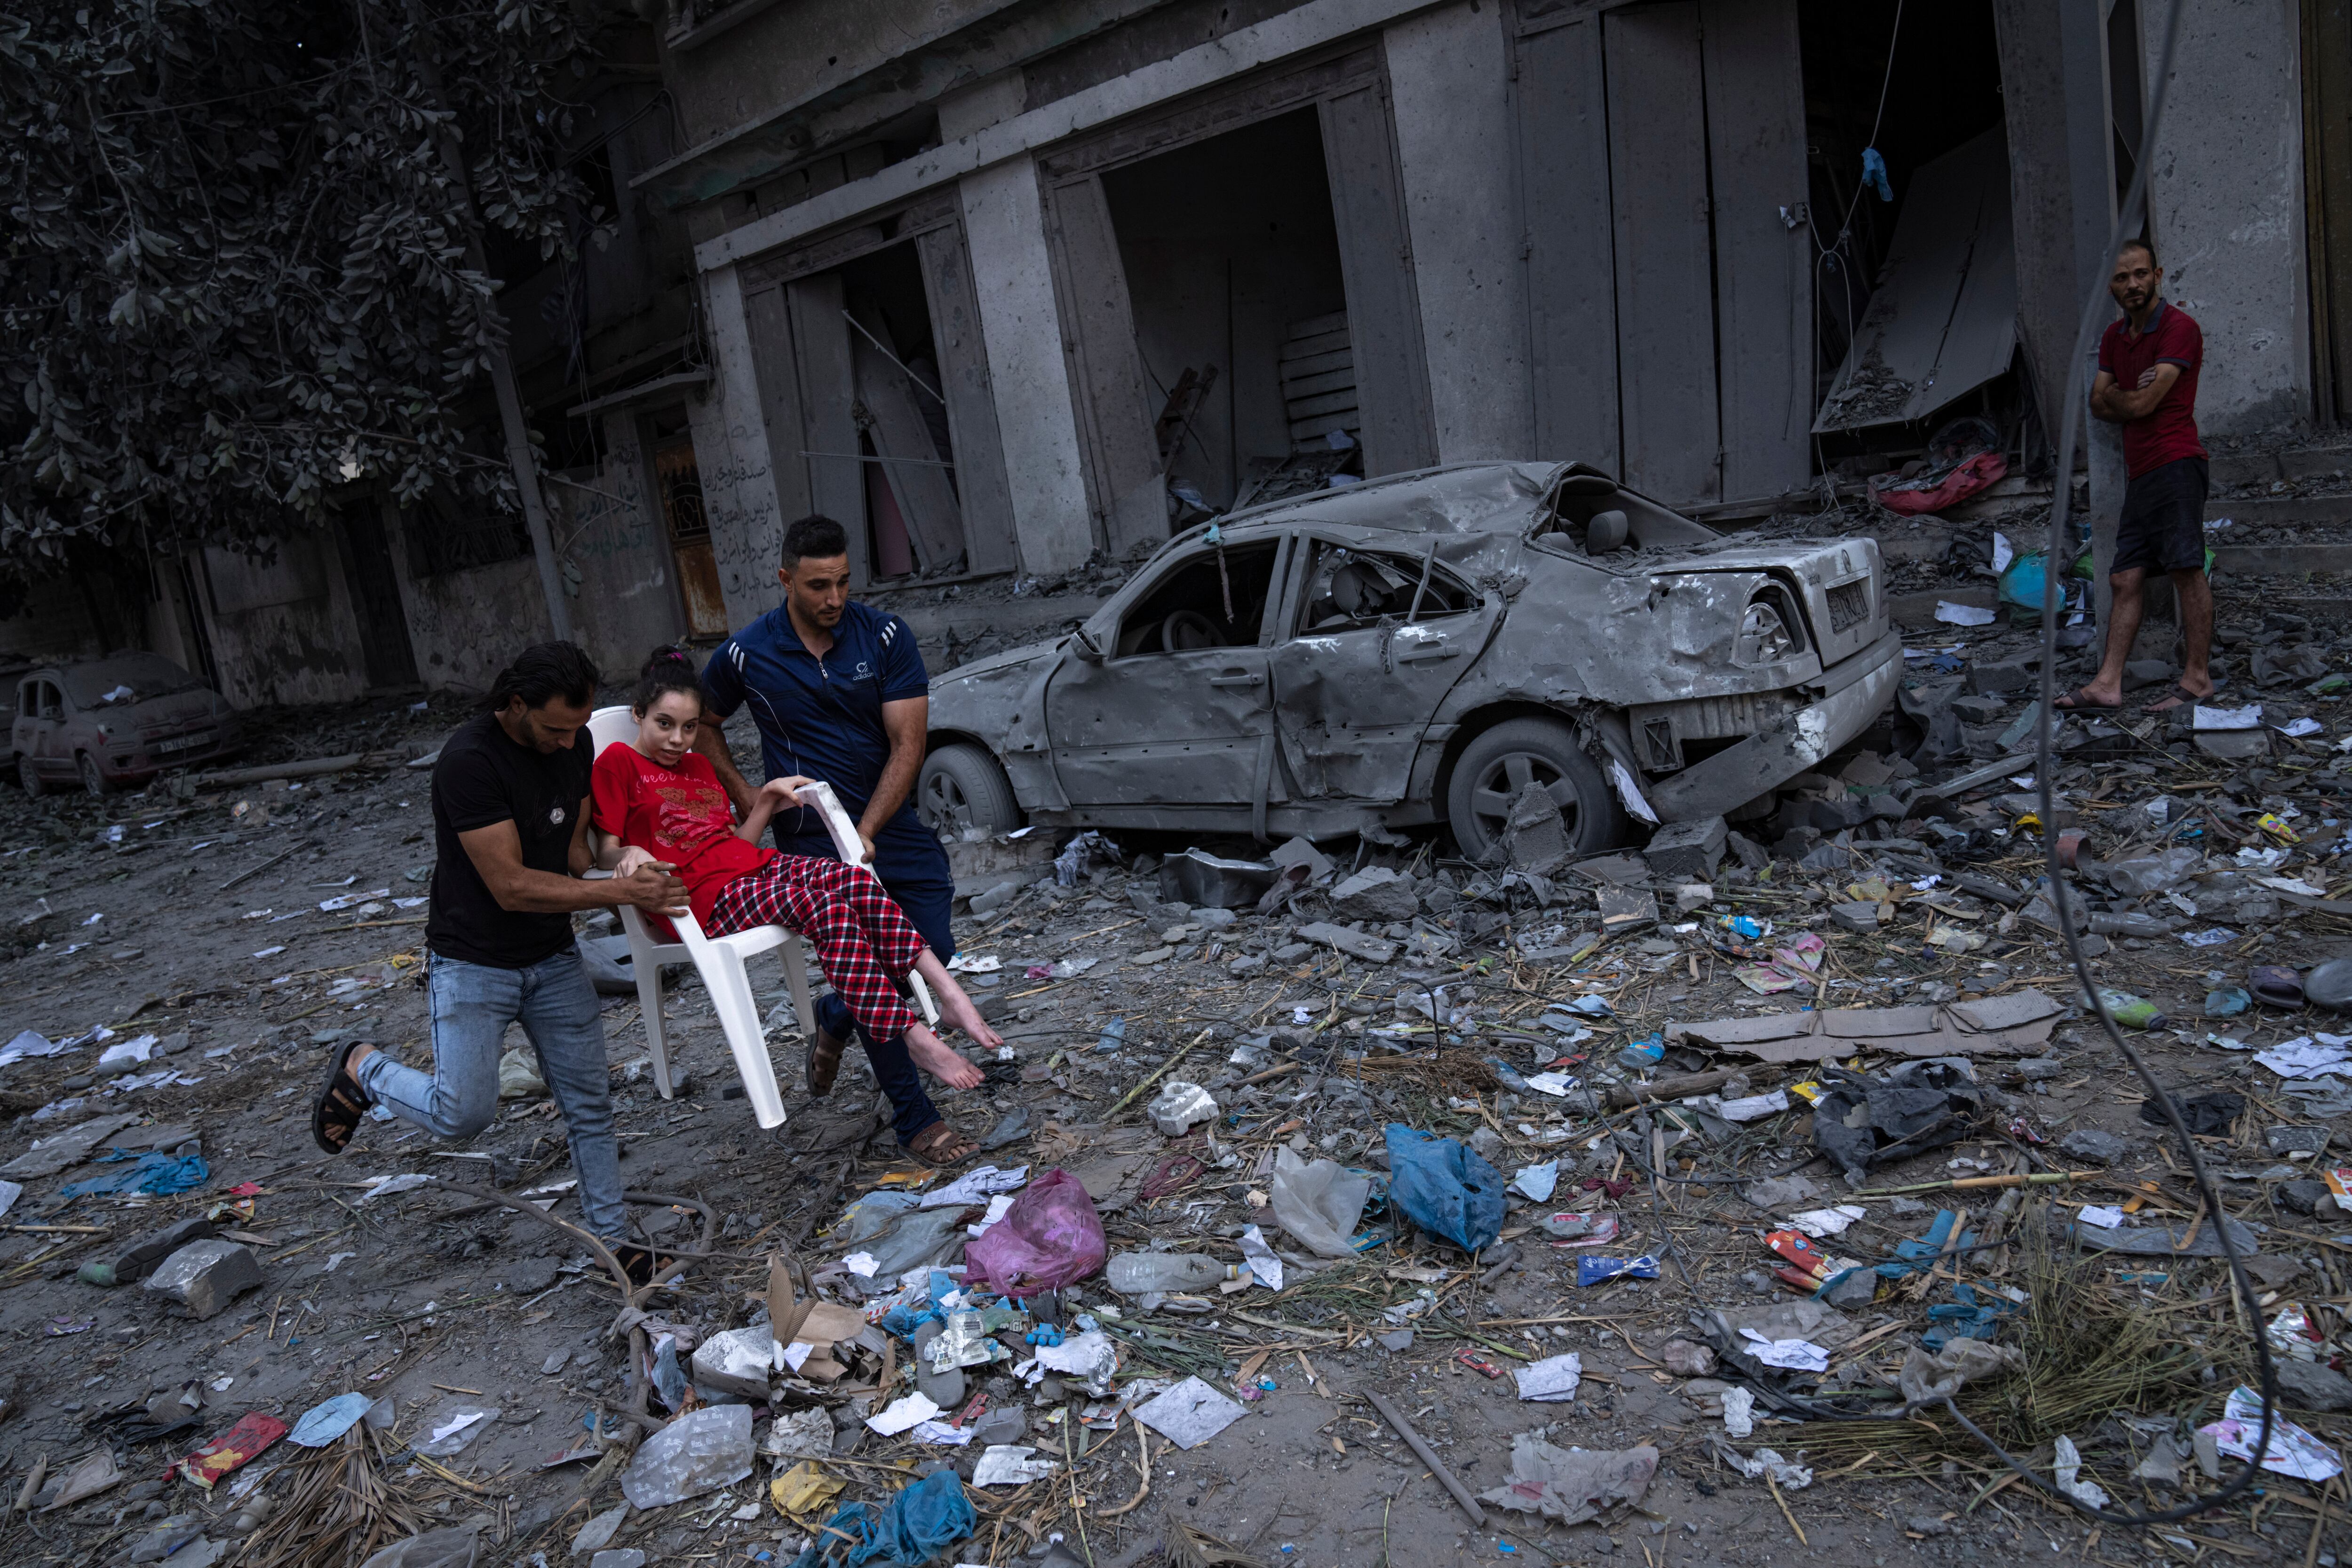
[512, 838]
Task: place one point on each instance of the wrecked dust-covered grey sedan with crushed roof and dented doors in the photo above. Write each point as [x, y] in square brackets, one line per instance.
[1419, 650]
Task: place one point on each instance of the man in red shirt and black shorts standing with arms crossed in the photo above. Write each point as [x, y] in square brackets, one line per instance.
[2149, 384]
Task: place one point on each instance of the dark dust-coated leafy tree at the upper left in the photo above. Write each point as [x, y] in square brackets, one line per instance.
[243, 274]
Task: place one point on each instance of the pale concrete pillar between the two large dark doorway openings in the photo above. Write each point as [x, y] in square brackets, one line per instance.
[1022, 323]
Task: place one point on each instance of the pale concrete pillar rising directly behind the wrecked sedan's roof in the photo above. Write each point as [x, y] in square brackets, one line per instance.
[1455, 140]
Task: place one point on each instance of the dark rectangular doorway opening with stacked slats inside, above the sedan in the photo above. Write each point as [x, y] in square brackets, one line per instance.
[1241, 319]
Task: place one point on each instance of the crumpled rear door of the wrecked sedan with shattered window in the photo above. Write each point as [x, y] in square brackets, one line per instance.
[1377, 643]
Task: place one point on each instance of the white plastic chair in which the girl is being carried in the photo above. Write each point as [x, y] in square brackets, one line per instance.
[719, 960]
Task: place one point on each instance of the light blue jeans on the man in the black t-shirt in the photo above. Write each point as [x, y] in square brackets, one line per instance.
[559, 1012]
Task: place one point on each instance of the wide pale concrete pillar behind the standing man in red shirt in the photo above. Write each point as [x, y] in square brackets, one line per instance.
[2226, 208]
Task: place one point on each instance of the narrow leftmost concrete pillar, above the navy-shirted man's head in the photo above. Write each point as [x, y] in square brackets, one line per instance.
[733, 460]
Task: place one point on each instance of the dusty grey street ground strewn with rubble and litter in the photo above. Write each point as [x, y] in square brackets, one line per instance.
[443, 1306]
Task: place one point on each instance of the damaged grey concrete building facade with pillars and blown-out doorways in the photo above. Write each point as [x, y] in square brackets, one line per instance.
[1020, 286]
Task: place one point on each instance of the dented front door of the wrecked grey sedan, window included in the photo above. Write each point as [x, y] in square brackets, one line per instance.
[1177, 711]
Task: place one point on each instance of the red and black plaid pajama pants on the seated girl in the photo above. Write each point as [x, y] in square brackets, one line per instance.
[862, 939]
